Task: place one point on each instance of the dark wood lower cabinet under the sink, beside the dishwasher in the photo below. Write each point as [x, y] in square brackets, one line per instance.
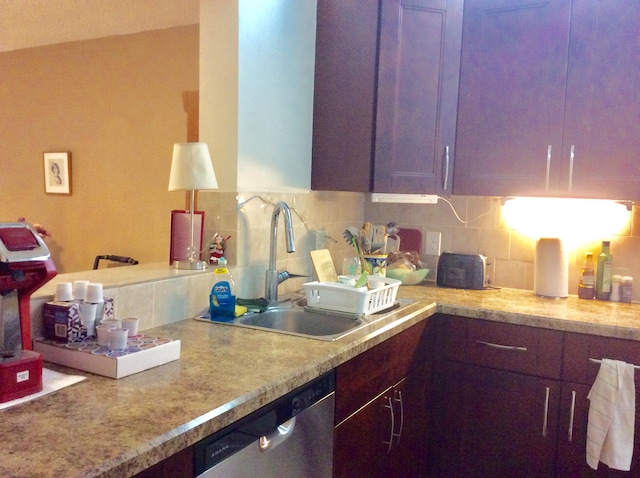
[382, 398]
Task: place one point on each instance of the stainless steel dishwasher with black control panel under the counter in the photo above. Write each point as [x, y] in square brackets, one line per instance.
[291, 437]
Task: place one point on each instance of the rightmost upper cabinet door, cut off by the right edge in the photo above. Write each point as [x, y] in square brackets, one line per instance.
[601, 150]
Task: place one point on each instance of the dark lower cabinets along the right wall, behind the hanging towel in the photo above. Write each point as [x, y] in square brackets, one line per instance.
[497, 415]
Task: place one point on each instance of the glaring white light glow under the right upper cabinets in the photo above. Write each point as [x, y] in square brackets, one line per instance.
[576, 221]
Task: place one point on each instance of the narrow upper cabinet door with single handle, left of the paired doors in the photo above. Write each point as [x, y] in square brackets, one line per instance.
[417, 95]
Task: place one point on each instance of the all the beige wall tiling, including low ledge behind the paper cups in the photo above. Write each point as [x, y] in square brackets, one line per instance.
[466, 224]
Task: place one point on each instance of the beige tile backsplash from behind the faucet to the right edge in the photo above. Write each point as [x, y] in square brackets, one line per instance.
[467, 224]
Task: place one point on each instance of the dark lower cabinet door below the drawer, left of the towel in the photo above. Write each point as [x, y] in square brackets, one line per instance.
[496, 423]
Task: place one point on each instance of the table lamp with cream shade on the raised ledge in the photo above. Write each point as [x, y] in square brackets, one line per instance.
[191, 170]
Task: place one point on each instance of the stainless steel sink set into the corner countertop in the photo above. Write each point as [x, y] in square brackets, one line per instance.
[296, 319]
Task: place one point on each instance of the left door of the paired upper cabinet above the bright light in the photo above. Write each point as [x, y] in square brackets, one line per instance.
[511, 102]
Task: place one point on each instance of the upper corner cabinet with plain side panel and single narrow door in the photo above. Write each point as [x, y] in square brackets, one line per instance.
[384, 121]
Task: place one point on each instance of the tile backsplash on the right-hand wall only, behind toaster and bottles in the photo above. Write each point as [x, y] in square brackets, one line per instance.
[510, 255]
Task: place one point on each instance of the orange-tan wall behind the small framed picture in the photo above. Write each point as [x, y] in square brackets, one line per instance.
[116, 105]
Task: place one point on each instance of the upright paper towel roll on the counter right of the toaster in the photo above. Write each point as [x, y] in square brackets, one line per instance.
[551, 268]
